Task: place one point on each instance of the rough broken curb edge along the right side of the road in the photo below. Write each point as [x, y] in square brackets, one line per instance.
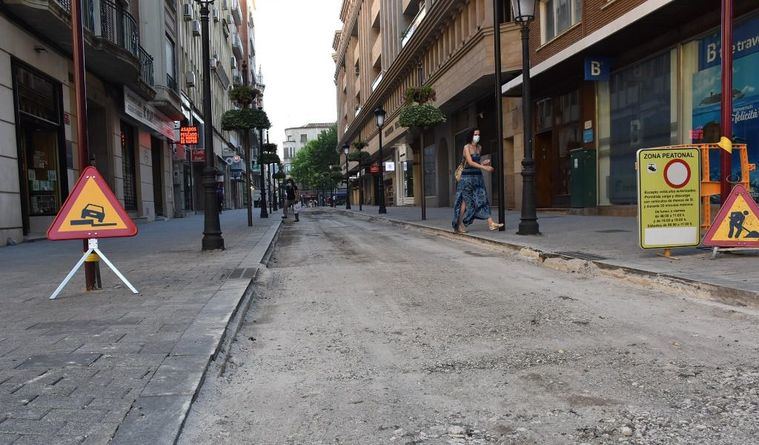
[600, 268]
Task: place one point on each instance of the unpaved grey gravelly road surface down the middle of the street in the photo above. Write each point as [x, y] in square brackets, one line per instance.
[365, 333]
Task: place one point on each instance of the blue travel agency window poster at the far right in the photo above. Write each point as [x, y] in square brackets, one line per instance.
[707, 96]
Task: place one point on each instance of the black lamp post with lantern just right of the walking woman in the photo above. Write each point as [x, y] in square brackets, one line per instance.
[524, 13]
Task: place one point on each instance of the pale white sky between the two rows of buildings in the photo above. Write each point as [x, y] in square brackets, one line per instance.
[294, 49]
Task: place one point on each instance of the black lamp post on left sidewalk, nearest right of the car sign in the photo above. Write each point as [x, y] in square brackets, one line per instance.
[212, 239]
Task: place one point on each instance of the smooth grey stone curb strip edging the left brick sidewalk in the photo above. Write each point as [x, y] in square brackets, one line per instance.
[159, 413]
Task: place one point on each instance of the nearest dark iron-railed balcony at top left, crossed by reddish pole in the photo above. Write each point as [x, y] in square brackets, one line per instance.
[112, 38]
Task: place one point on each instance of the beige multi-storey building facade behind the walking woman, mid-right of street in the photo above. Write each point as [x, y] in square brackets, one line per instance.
[386, 46]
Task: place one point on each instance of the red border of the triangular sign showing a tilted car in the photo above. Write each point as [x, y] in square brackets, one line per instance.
[54, 233]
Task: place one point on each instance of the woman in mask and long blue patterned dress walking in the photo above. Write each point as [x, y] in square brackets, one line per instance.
[471, 196]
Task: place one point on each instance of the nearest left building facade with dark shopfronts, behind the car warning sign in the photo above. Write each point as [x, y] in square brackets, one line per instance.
[130, 135]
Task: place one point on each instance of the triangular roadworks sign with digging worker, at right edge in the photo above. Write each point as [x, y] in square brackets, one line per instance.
[737, 223]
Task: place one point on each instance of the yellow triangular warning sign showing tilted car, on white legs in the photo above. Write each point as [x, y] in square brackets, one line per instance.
[91, 211]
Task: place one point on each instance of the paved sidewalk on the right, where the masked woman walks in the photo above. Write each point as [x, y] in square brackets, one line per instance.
[608, 242]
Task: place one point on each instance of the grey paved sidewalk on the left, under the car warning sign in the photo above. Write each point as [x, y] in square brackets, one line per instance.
[78, 369]
